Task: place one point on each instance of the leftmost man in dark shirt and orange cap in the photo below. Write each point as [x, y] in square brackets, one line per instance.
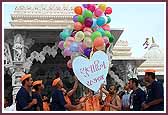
[24, 101]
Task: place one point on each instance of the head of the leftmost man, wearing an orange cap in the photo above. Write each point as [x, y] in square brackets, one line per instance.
[26, 80]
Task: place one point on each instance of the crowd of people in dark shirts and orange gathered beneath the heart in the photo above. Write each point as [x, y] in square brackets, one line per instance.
[132, 98]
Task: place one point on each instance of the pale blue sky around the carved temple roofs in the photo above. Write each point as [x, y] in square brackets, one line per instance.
[139, 21]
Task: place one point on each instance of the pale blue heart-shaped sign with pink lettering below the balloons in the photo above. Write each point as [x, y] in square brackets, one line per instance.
[91, 72]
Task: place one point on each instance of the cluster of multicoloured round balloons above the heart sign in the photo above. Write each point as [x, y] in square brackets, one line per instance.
[91, 32]
